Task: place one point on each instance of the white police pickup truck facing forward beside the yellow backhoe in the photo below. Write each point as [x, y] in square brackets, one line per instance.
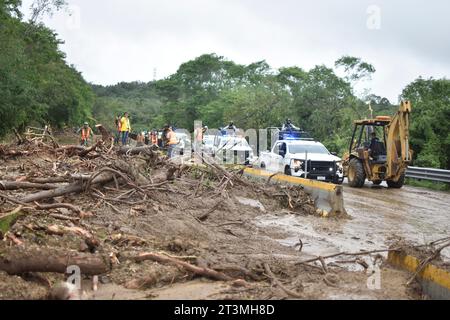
[304, 159]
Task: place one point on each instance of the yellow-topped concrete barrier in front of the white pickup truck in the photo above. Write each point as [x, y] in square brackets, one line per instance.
[328, 197]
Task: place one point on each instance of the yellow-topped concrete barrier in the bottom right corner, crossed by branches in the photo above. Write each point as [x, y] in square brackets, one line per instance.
[435, 281]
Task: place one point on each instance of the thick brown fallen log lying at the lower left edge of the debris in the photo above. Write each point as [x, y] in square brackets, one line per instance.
[19, 260]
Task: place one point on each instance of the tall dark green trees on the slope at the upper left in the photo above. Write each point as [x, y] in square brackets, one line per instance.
[36, 84]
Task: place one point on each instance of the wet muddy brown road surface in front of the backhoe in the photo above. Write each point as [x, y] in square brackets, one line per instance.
[378, 215]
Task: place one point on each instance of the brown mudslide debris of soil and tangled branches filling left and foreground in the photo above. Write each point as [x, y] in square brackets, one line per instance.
[131, 218]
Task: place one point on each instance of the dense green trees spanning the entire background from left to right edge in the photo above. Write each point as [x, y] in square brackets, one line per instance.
[36, 85]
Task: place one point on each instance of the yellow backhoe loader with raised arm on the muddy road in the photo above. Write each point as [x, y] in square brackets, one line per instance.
[379, 150]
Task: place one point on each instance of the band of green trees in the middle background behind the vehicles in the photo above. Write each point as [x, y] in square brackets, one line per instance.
[216, 90]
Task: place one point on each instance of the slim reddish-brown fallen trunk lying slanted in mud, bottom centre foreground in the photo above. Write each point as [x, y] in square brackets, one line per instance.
[206, 272]
